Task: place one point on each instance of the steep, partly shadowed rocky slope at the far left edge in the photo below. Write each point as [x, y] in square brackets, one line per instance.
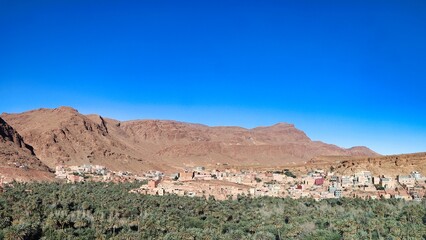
[17, 158]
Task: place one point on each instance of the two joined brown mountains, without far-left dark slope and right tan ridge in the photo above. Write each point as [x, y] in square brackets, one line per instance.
[63, 135]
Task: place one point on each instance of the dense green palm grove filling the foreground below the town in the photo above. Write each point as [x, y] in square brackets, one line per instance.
[109, 211]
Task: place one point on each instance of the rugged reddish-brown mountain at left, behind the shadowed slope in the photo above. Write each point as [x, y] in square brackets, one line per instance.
[63, 135]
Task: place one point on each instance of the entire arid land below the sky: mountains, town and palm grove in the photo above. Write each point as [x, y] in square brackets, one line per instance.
[88, 176]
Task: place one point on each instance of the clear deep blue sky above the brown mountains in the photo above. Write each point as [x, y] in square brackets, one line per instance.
[345, 72]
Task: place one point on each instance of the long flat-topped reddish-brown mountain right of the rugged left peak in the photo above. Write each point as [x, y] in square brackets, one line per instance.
[192, 143]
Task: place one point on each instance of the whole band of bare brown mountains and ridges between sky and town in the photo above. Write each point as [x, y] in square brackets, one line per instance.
[34, 141]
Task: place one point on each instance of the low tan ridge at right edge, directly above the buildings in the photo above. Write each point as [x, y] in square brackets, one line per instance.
[388, 165]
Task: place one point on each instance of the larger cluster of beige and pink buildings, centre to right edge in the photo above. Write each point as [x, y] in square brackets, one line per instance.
[317, 184]
